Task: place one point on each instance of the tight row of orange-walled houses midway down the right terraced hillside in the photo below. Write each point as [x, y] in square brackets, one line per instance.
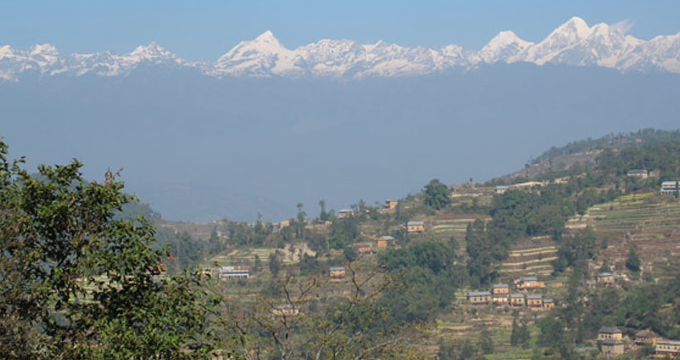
[500, 295]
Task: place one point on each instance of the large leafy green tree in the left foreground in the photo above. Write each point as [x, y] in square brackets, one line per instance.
[78, 284]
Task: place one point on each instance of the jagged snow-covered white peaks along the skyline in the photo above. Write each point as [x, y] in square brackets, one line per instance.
[573, 43]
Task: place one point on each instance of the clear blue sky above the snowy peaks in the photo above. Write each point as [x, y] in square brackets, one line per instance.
[203, 30]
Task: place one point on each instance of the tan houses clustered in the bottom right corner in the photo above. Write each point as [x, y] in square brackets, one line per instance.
[612, 343]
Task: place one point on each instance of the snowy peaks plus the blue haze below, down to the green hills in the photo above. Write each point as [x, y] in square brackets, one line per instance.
[265, 127]
